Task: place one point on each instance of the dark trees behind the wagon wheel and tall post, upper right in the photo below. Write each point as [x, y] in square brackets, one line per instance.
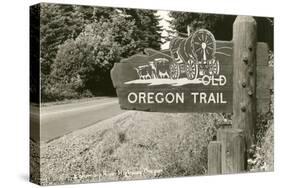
[220, 25]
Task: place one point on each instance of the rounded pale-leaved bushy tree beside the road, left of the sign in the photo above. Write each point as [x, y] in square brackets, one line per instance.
[82, 65]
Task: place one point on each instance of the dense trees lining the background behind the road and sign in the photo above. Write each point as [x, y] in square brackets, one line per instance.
[80, 44]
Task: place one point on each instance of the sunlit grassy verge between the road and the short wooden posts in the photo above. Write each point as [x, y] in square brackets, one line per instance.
[133, 145]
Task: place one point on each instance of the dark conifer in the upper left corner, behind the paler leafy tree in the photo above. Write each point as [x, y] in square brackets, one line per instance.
[59, 23]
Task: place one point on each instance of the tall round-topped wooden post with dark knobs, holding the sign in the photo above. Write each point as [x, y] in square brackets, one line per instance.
[244, 76]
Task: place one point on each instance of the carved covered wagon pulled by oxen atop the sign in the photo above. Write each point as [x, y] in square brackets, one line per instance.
[192, 58]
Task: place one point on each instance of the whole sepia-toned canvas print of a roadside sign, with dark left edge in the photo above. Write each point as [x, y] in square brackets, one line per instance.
[121, 94]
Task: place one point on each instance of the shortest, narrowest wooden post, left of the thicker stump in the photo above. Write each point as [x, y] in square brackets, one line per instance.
[214, 158]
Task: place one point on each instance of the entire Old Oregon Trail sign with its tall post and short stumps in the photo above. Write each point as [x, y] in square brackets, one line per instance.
[201, 74]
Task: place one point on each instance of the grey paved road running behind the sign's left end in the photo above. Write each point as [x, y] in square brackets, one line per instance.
[58, 120]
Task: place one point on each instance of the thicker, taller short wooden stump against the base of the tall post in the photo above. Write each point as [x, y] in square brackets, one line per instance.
[233, 150]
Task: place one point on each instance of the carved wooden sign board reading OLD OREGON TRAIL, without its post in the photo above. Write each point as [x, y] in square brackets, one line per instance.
[193, 75]
